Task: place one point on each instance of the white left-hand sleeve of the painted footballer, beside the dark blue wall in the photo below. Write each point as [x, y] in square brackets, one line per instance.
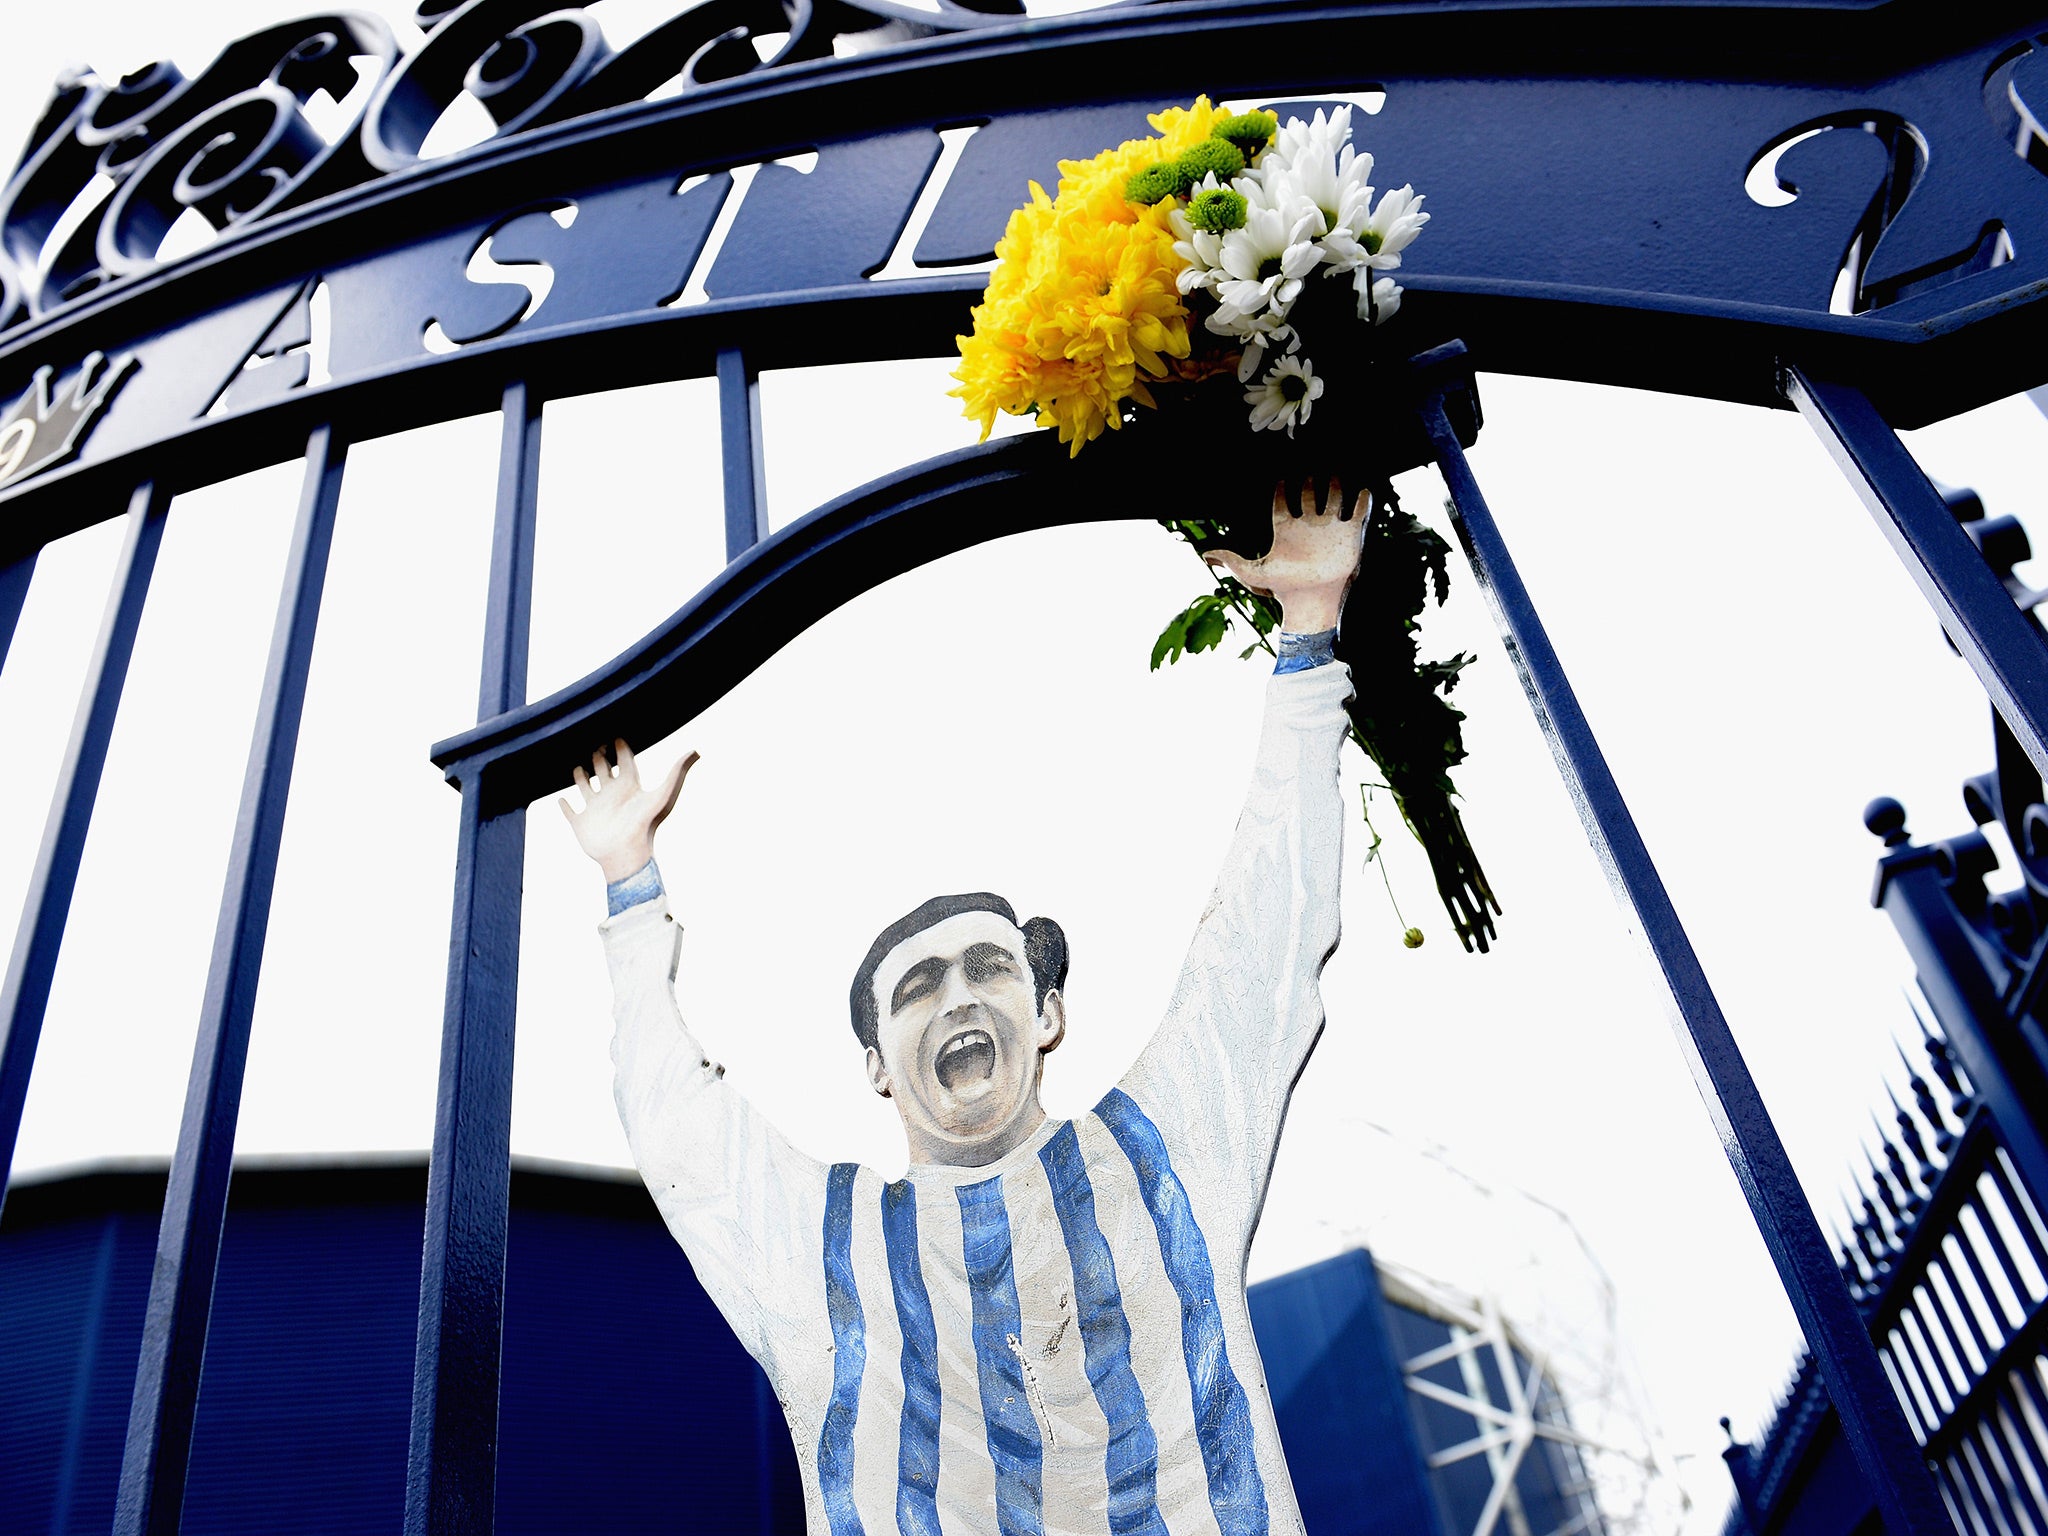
[742, 1201]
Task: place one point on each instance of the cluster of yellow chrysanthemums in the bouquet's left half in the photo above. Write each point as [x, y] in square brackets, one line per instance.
[1082, 304]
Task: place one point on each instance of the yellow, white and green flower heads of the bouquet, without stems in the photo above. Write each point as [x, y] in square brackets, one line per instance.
[1226, 218]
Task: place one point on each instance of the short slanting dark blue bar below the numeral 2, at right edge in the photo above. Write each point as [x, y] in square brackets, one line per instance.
[2000, 642]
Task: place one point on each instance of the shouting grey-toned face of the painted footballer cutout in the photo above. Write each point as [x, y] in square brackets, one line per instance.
[962, 1039]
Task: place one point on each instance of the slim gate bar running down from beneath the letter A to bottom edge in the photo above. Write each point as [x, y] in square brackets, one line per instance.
[196, 1201]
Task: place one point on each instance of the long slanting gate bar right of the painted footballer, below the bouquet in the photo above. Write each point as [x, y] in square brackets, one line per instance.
[1877, 1428]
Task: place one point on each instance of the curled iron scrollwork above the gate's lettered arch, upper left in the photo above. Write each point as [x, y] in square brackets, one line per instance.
[321, 105]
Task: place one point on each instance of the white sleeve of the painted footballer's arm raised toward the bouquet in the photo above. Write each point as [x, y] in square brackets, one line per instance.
[1248, 1011]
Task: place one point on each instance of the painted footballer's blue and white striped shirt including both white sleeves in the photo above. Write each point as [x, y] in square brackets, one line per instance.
[1056, 1342]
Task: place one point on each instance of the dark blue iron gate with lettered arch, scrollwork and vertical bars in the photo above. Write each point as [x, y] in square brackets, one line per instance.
[1893, 275]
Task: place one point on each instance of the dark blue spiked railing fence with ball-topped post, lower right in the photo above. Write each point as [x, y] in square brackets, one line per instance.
[1928, 1240]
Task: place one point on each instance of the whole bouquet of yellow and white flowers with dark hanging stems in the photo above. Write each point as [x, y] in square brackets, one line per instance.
[1234, 247]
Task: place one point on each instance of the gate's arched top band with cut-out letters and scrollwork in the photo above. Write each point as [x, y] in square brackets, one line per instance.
[630, 208]
